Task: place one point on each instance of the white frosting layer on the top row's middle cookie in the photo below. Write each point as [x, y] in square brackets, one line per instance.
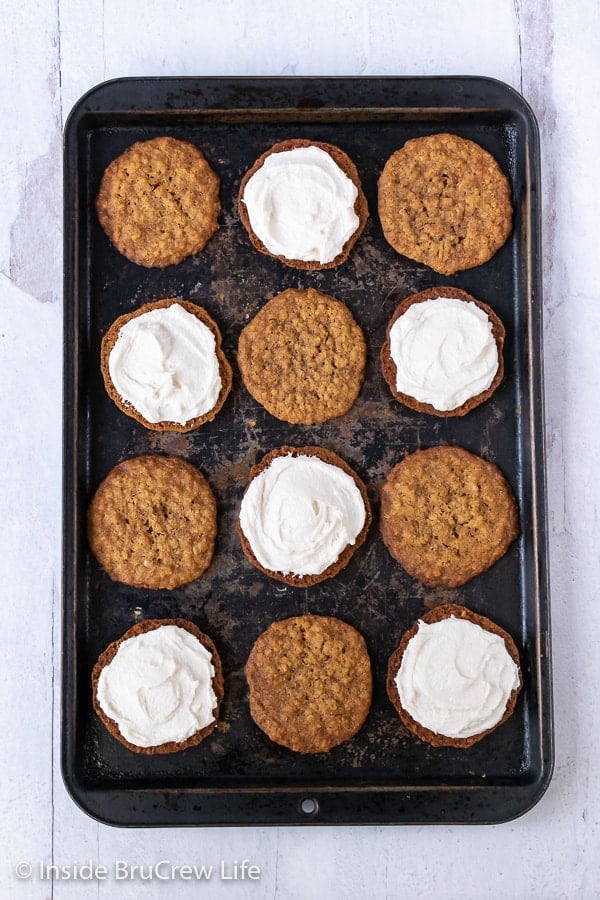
[301, 205]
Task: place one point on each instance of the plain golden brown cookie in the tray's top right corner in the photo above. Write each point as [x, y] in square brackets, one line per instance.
[444, 201]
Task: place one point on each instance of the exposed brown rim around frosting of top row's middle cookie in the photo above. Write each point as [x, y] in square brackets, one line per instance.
[341, 158]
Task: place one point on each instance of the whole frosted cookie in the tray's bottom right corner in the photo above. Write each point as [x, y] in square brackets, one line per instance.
[455, 677]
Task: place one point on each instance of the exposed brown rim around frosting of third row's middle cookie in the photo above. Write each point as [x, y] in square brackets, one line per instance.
[328, 456]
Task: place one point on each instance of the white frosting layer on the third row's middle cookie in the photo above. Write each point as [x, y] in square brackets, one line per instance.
[300, 513]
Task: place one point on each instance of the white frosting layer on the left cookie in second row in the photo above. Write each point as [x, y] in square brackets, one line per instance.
[164, 362]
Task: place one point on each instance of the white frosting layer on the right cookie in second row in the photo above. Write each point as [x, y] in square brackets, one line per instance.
[444, 352]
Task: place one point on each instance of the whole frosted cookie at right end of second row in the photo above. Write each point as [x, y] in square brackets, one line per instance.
[443, 352]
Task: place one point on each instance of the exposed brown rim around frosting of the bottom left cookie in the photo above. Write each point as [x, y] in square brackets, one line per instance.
[217, 685]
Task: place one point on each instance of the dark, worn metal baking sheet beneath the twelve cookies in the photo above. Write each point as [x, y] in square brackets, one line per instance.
[238, 776]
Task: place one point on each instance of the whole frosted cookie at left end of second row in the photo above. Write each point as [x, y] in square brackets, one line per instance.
[164, 366]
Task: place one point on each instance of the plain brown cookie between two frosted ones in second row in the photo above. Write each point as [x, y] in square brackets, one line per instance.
[303, 357]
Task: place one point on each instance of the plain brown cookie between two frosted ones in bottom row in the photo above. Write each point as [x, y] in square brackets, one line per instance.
[310, 682]
